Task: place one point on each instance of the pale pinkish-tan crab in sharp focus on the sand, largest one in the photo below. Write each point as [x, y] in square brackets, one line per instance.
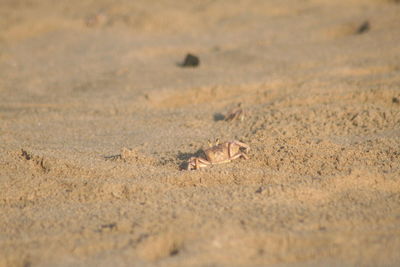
[219, 153]
